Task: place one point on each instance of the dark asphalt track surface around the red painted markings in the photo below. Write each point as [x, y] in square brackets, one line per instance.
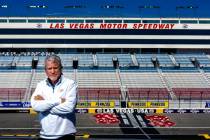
[185, 125]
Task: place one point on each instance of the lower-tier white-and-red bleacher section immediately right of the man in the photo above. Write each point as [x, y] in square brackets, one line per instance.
[98, 86]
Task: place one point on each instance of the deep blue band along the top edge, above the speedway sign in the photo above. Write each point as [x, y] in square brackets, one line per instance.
[106, 8]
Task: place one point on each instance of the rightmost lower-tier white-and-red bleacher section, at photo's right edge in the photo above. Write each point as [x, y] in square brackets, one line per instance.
[188, 85]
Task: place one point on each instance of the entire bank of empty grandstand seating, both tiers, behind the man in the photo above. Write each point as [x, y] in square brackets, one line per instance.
[101, 84]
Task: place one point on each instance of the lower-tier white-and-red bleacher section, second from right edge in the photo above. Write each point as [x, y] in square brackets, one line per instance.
[144, 86]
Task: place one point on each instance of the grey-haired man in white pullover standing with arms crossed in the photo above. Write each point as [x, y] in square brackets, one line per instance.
[55, 100]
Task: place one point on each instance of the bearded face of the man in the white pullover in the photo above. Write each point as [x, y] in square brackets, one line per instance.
[53, 71]
